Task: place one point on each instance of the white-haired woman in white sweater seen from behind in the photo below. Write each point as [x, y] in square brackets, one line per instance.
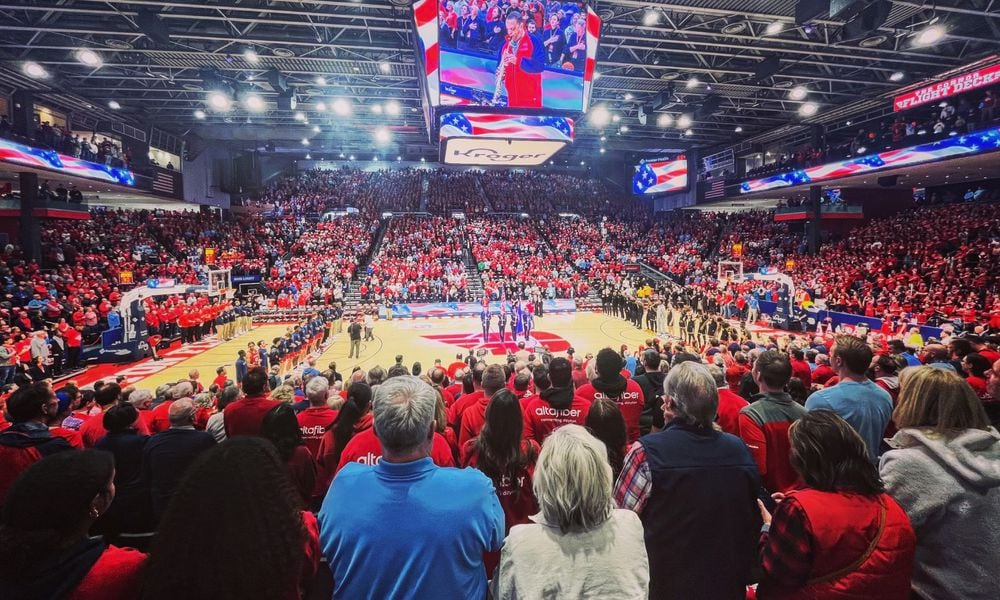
[579, 545]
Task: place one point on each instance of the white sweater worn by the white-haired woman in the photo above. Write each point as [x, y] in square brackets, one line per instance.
[608, 562]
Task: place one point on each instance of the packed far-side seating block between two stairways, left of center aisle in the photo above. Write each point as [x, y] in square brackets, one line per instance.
[419, 260]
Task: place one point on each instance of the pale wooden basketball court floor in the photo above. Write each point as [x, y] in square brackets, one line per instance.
[422, 340]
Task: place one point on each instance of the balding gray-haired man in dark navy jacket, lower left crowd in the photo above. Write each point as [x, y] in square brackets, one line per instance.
[168, 455]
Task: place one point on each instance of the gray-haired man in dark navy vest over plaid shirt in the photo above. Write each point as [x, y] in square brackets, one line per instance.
[695, 489]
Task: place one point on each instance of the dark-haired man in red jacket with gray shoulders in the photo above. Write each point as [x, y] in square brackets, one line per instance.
[764, 423]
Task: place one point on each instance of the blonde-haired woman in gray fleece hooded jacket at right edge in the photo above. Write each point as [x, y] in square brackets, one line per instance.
[944, 471]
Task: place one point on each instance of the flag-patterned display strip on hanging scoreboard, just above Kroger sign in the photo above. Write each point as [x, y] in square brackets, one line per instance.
[459, 124]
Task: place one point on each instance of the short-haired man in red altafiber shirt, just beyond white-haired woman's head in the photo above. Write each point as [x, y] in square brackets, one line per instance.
[557, 405]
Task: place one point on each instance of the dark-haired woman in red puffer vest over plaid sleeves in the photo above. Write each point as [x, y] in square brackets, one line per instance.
[841, 535]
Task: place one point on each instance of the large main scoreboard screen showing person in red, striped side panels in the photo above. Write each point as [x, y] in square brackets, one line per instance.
[524, 54]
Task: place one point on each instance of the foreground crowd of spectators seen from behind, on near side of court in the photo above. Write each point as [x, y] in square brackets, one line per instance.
[680, 471]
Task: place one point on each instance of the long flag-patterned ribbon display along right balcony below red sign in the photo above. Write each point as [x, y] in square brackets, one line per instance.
[951, 147]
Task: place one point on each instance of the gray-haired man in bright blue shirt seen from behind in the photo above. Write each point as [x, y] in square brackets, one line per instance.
[395, 510]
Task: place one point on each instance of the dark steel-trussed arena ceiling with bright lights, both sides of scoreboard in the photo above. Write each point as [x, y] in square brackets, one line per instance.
[155, 55]
